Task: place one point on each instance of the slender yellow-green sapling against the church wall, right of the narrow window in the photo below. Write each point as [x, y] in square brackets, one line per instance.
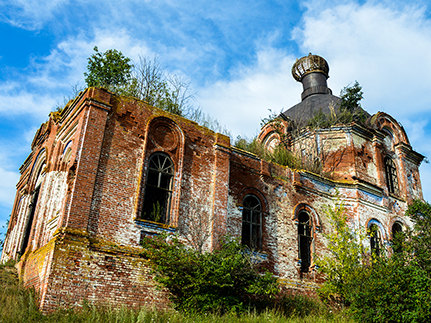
[343, 267]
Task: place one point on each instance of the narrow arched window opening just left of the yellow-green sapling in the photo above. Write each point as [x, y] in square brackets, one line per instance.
[305, 239]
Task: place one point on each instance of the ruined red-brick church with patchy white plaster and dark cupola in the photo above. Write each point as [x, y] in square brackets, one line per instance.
[108, 170]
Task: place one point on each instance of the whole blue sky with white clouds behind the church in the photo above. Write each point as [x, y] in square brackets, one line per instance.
[236, 54]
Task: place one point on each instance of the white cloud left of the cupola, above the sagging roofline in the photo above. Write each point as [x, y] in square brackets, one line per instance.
[240, 103]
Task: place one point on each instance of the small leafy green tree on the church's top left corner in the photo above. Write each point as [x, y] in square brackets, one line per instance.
[110, 69]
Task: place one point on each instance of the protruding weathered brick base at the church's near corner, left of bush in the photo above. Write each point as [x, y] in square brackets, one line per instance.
[99, 271]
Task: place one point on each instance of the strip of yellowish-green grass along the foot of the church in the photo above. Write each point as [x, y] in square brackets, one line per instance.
[18, 304]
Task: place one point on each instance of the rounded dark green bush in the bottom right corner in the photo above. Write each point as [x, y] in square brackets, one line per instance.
[392, 289]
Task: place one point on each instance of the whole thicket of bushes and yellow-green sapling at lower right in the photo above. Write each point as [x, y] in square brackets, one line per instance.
[389, 287]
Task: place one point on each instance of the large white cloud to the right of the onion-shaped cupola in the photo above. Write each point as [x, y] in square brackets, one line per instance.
[384, 49]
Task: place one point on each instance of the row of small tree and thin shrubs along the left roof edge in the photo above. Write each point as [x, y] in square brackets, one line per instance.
[146, 80]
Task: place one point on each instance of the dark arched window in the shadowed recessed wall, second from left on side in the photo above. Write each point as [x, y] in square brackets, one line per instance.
[252, 223]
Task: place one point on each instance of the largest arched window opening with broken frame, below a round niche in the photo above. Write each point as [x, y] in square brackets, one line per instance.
[158, 189]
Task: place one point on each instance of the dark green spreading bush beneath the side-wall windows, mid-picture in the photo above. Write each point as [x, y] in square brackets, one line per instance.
[221, 281]
